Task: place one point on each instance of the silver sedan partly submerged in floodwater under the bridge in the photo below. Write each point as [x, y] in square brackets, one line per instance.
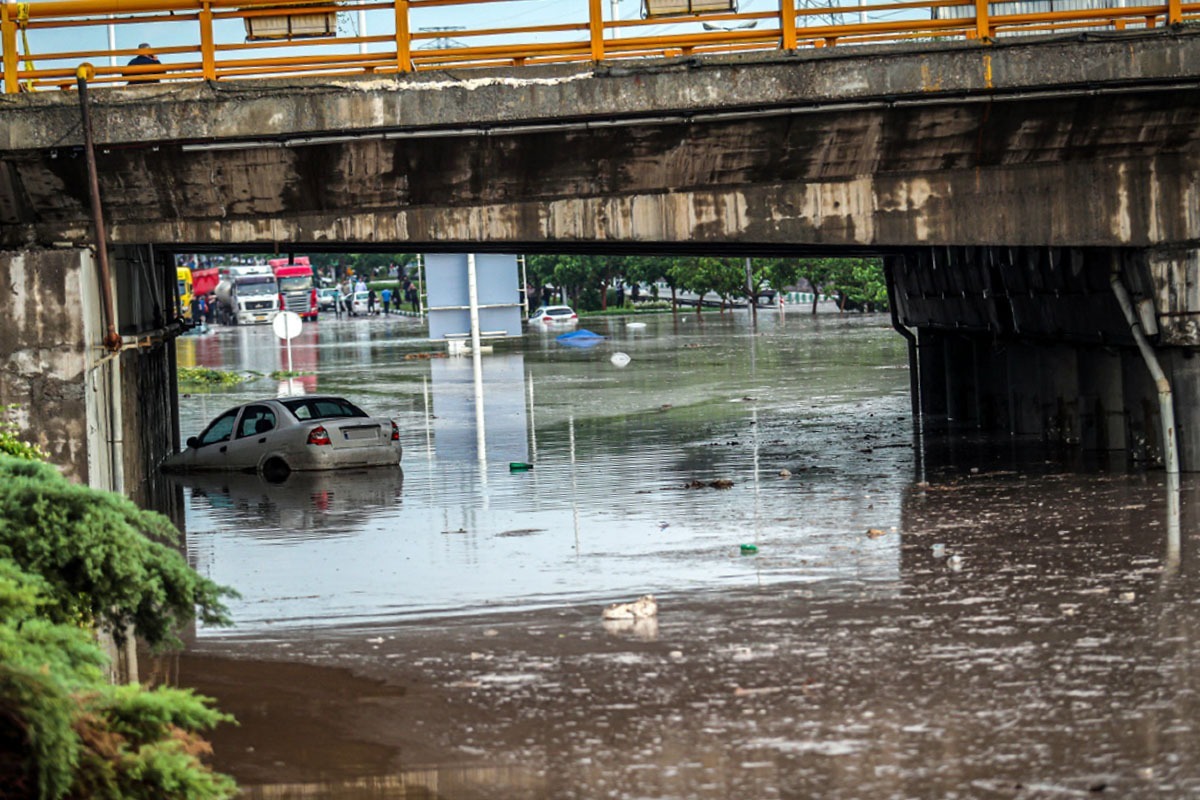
[285, 435]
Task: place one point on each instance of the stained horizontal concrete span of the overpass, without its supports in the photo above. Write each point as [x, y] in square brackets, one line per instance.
[1028, 143]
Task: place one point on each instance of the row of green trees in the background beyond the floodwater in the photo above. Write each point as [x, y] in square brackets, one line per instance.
[854, 284]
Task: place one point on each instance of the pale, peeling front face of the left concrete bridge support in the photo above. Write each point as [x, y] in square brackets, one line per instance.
[44, 354]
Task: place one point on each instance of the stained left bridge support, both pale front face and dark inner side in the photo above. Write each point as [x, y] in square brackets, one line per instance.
[106, 420]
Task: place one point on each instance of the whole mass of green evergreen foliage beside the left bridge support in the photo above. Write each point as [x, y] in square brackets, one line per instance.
[73, 558]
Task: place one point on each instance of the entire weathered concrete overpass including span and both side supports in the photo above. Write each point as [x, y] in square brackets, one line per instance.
[1017, 189]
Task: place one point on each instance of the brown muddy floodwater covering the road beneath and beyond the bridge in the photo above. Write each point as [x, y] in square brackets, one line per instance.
[1021, 624]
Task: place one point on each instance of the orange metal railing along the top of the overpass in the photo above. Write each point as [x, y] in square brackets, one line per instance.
[44, 43]
